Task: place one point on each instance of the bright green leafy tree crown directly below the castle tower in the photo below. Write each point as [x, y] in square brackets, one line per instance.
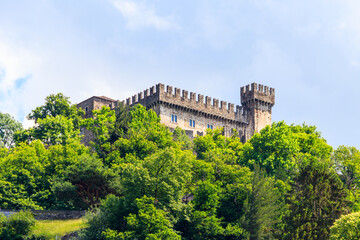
[277, 148]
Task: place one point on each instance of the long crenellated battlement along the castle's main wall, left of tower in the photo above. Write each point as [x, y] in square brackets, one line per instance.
[184, 99]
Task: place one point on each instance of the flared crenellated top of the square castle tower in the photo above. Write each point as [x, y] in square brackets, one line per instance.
[257, 92]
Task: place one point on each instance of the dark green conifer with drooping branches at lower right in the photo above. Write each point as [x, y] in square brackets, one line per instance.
[316, 200]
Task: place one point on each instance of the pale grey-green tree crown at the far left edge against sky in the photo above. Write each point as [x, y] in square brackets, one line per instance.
[8, 127]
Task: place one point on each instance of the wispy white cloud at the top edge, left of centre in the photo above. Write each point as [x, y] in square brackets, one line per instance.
[138, 15]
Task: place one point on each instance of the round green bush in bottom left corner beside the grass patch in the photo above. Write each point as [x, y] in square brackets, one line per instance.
[17, 227]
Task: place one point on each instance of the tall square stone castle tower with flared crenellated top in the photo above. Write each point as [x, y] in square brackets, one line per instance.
[257, 101]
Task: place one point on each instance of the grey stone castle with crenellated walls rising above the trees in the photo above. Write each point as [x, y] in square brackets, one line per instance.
[191, 113]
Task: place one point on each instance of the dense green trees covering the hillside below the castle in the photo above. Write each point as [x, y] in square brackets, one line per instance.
[140, 181]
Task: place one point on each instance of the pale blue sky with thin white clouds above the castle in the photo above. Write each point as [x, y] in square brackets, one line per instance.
[309, 51]
